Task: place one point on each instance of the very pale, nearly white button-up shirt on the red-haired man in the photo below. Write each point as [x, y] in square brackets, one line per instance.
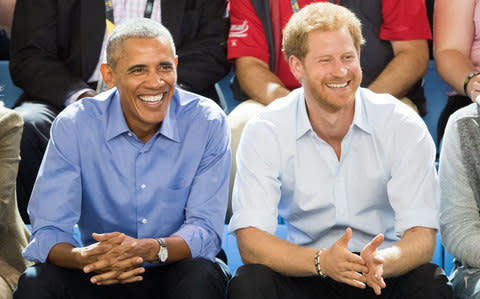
[384, 182]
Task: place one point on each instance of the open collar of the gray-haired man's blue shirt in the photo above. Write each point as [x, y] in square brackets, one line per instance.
[117, 125]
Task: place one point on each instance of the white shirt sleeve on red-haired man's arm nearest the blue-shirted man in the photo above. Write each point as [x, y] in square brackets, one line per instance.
[256, 191]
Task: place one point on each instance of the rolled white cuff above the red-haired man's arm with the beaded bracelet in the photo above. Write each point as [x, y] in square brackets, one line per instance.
[253, 218]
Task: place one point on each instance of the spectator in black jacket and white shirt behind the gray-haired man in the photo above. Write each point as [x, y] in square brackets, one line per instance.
[55, 64]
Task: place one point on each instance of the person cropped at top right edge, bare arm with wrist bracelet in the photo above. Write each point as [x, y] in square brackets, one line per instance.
[457, 53]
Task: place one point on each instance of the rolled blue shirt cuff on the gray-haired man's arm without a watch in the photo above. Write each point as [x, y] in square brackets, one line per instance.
[42, 242]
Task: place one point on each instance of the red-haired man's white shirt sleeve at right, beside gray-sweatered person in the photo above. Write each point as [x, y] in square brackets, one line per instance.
[413, 189]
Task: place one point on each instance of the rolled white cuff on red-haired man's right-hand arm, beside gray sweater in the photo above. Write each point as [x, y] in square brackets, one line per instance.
[418, 217]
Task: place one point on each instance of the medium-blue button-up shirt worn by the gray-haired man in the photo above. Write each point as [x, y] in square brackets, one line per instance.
[98, 174]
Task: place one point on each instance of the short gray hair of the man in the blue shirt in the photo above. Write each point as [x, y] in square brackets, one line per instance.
[136, 28]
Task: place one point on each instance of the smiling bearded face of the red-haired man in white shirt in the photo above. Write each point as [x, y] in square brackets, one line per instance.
[330, 71]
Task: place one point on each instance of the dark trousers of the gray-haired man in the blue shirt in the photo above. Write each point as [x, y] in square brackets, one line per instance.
[191, 278]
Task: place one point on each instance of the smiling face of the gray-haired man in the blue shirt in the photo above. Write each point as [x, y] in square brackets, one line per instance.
[145, 75]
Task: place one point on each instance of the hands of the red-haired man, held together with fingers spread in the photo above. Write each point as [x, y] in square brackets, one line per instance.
[355, 270]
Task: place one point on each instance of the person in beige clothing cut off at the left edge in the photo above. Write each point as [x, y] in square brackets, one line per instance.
[13, 233]
